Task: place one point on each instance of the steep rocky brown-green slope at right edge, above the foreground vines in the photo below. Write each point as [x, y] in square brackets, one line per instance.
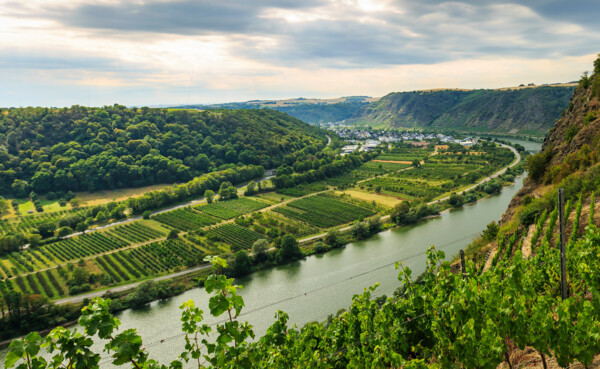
[570, 154]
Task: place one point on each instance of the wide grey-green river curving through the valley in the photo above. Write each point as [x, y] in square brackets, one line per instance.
[313, 288]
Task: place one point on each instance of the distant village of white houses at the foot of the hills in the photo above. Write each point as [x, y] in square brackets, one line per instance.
[364, 140]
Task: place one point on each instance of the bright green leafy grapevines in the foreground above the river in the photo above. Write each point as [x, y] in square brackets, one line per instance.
[440, 320]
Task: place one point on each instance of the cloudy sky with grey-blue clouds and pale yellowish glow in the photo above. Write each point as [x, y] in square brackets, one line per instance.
[145, 52]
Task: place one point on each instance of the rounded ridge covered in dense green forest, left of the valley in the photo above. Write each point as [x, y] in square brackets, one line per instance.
[88, 149]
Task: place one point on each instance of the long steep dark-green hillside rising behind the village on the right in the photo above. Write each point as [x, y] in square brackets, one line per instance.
[520, 110]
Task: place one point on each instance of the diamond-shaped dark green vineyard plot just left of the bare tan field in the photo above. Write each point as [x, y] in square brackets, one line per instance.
[323, 211]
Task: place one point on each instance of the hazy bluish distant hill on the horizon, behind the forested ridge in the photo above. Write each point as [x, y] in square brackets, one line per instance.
[313, 111]
